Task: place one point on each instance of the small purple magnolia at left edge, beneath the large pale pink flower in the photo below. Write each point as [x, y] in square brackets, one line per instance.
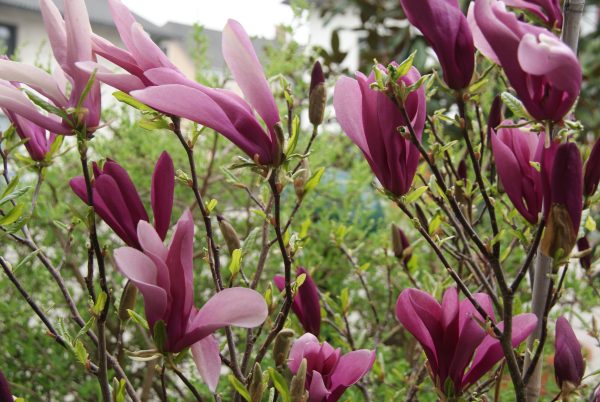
[39, 140]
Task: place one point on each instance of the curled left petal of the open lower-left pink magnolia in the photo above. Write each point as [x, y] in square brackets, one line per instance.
[140, 269]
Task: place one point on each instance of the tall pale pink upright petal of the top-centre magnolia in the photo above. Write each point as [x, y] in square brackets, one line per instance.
[241, 59]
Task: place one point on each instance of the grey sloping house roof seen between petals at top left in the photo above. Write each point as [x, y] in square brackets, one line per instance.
[98, 11]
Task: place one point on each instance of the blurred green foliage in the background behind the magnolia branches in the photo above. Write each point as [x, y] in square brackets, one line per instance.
[343, 226]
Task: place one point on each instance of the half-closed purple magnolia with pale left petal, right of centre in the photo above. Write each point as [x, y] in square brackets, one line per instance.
[371, 120]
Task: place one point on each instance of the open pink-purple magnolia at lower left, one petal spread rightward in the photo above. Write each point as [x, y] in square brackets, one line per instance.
[165, 278]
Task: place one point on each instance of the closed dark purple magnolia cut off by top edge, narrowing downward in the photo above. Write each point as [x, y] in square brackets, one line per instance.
[447, 31]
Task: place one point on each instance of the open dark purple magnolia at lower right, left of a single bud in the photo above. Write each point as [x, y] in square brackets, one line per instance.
[458, 349]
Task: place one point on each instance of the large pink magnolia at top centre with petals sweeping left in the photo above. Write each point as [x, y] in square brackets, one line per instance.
[223, 110]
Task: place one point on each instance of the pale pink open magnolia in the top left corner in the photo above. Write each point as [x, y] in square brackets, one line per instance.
[71, 43]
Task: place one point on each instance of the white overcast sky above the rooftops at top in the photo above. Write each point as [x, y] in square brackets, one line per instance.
[258, 17]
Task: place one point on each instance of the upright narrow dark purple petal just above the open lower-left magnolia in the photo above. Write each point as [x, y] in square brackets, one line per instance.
[163, 186]
